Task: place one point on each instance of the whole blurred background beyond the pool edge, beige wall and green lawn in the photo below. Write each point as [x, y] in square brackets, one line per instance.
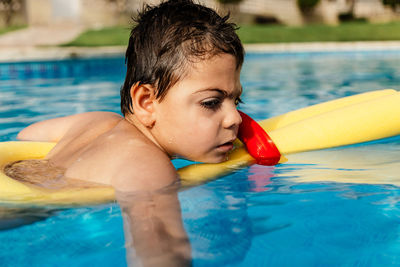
[107, 22]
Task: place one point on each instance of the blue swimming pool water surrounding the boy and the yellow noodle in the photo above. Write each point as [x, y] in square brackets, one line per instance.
[291, 214]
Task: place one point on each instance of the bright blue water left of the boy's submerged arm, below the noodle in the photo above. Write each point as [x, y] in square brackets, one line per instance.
[72, 237]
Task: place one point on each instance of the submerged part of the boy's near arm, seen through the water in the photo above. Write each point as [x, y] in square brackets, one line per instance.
[153, 228]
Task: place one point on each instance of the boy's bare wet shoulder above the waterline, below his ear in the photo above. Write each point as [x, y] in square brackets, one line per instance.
[147, 168]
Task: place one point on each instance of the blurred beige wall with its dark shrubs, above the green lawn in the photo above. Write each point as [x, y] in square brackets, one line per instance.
[100, 13]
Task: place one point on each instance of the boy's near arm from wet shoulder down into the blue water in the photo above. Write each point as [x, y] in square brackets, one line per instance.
[147, 191]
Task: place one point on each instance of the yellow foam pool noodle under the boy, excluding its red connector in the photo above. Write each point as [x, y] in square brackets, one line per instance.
[349, 120]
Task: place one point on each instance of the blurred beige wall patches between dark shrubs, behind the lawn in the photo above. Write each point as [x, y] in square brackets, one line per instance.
[99, 13]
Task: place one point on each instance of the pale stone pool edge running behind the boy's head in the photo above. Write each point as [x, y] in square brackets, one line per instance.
[30, 53]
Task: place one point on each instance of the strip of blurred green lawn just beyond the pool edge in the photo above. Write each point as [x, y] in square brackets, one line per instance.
[346, 32]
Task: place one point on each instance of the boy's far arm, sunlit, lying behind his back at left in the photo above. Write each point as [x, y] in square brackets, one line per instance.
[54, 129]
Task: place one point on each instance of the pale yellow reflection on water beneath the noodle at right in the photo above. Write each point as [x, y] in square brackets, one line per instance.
[371, 164]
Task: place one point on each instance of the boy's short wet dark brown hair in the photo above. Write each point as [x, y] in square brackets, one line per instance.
[170, 36]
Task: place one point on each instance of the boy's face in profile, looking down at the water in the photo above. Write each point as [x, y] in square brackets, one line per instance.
[198, 118]
